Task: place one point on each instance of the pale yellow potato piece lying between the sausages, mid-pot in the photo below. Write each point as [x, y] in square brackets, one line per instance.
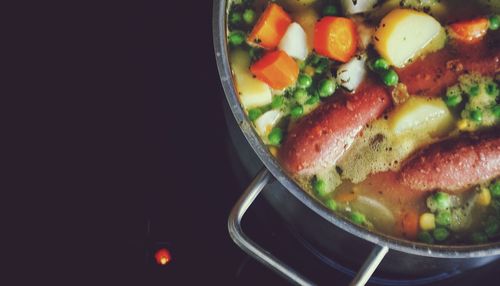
[420, 114]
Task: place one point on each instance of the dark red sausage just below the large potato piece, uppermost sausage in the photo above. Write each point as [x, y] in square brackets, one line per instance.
[431, 75]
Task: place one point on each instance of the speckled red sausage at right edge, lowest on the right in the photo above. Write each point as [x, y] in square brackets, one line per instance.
[455, 164]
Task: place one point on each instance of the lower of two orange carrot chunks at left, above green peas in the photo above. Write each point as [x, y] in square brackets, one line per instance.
[277, 69]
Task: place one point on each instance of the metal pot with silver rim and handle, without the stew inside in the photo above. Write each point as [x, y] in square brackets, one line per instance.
[333, 234]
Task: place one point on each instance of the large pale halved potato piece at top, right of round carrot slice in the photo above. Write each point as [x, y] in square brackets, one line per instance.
[403, 33]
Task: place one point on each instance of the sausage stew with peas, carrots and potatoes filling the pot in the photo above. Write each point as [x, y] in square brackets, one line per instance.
[386, 112]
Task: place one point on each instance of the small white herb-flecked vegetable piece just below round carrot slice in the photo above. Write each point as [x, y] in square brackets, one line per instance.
[351, 74]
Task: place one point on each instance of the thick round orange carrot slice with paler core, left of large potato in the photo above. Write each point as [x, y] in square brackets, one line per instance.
[336, 38]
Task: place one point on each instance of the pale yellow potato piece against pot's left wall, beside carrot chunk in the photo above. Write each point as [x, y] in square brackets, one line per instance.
[251, 91]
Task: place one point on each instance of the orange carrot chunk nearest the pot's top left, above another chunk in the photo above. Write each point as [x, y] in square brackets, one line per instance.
[270, 27]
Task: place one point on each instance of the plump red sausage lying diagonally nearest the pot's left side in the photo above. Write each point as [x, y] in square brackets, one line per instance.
[320, 139]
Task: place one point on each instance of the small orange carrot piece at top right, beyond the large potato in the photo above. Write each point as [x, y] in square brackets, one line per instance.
[470, 31]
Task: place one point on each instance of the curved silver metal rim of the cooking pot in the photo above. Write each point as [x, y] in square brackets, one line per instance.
[270, 162]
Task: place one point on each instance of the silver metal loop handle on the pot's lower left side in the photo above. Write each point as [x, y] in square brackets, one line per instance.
[262, 179]
